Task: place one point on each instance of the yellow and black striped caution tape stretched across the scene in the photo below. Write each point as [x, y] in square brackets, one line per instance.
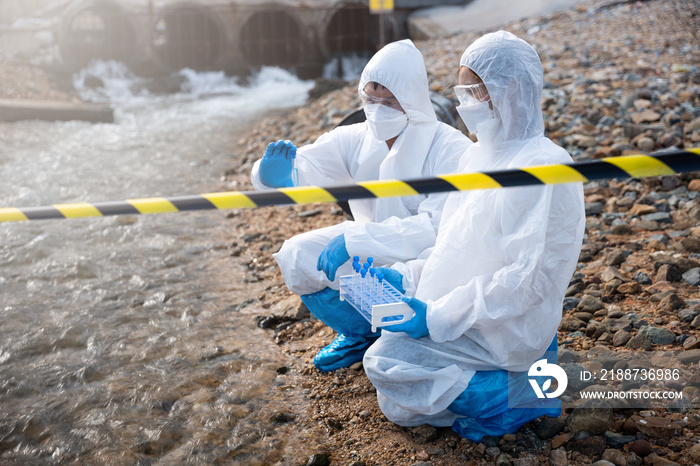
[635, 166]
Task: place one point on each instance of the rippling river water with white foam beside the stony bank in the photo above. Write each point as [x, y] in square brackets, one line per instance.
[120, 342]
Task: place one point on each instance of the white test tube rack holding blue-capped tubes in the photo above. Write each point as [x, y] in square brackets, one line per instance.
[377, 301]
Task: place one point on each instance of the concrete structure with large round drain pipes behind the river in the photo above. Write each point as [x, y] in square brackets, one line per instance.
[236, 36]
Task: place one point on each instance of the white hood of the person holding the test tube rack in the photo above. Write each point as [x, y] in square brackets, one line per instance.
[512, 73]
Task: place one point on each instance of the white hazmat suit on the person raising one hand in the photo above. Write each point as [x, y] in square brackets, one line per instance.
[388, 229]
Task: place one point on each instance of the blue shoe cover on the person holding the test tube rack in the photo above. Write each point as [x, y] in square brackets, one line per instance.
[496, 403]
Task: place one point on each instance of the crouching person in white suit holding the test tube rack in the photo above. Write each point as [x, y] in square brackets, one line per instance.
[488, 297]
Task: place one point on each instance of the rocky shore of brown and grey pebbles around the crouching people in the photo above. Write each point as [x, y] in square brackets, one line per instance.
[619, 80]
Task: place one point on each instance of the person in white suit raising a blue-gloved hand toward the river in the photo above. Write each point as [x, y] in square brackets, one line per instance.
[401, 139]
